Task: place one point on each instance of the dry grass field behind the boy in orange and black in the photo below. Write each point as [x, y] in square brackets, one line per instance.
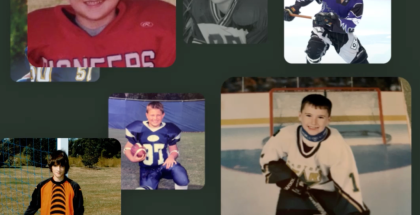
[101, 188]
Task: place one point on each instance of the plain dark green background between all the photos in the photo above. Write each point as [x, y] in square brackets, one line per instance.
[81, 109]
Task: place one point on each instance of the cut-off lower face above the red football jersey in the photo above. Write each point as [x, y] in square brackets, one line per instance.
[94, 10]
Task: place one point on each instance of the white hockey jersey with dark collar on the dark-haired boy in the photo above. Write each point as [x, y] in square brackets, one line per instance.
[328, 165]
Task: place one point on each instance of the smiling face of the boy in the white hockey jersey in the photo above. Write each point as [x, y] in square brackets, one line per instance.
[314, 120]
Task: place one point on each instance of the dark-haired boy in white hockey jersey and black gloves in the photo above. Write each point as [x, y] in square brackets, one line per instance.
[312, 158]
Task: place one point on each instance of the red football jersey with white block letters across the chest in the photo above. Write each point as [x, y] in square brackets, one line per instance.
[141, 35]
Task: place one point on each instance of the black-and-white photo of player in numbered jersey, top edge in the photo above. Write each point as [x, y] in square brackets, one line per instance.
[225, 21]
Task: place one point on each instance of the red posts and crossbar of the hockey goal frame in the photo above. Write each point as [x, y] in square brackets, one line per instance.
[325, 91]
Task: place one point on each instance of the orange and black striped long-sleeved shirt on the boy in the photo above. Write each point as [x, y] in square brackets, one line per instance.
[57, 198]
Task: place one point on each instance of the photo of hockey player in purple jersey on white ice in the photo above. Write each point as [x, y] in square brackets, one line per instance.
[337, 31]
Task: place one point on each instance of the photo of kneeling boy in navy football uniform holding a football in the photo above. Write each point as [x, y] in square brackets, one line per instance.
[169, 129]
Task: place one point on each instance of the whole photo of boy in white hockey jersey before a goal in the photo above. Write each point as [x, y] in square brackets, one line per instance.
[310, 146]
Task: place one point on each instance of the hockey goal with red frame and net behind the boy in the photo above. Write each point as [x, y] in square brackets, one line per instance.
[356, 112]
